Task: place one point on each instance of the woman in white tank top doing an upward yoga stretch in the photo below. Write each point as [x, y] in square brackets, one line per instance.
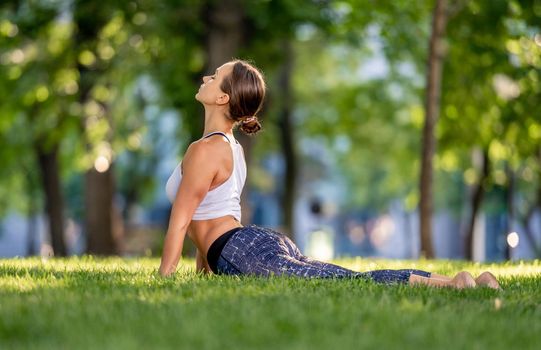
[205, 191]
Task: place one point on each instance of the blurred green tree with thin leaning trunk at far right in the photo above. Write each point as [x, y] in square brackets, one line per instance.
[483, 104]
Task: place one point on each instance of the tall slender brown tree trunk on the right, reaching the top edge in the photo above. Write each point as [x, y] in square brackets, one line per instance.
[432, 107]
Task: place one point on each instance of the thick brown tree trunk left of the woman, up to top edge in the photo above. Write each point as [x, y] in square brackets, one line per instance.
[90, 19]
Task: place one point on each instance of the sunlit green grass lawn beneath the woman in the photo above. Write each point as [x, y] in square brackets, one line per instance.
[86, 302]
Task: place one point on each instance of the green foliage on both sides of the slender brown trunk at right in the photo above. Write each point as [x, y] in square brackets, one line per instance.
[373, 124]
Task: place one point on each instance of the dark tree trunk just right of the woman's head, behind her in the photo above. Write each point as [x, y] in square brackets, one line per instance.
[287, 134]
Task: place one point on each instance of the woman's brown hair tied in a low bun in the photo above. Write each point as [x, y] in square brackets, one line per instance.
[246, 89]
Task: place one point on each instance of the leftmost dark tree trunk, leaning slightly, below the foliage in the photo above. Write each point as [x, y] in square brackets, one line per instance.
[54, 204]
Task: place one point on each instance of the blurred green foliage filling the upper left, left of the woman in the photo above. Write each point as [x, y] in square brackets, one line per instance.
[68, 76]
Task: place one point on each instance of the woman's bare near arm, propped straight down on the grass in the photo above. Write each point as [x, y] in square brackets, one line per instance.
[197, 175]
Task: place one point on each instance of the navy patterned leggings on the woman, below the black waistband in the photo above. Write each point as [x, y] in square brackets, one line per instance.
[263, 252]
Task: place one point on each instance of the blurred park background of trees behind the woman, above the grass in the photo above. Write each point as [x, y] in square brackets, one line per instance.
[397, 128]
